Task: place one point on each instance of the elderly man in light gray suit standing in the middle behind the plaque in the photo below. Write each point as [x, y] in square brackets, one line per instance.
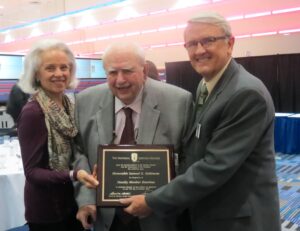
[161, 114]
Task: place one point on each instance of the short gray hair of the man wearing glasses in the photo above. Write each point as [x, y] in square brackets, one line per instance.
[214, 19]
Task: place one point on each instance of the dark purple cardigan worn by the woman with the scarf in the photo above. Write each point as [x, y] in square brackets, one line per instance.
[48, 194]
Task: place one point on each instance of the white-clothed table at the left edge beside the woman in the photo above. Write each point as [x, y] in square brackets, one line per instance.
[12, 199]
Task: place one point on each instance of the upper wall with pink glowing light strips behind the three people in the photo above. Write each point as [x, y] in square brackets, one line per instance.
[158, 27]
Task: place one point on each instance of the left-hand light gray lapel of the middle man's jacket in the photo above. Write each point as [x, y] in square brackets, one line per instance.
[105, 118]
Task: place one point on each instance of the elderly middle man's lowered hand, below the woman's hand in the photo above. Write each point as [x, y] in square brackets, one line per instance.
[87, 215]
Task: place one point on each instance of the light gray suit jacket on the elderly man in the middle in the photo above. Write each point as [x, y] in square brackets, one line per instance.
[164, 119]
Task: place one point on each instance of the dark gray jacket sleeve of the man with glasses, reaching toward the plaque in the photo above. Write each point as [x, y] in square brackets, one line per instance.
[239, 129]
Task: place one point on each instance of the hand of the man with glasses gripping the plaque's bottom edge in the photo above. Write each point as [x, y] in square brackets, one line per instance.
[136, 206]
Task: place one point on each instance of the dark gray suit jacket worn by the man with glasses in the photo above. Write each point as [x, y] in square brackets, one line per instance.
[230, 182]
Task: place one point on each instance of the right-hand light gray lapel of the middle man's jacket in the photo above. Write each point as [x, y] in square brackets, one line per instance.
[149, 115]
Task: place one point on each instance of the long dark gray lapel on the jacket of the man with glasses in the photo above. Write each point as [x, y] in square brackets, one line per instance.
[218, 89]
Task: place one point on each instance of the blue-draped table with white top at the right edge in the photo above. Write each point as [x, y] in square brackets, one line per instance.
[287, 133]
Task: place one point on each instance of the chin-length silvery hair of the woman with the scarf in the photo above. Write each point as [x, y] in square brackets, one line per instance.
[28, 82]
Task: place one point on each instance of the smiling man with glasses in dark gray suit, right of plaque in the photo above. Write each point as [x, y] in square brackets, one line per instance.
[230, 182]
